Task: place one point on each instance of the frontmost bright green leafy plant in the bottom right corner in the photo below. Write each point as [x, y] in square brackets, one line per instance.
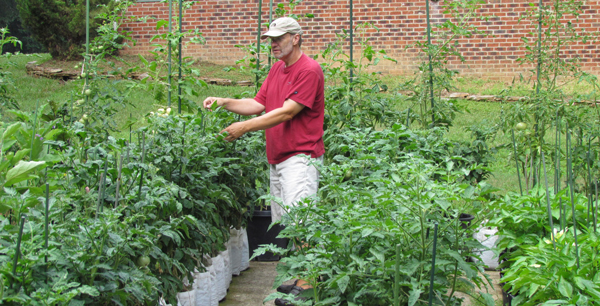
[546, 273]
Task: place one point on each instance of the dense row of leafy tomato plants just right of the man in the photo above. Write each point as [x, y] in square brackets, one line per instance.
[373, 197]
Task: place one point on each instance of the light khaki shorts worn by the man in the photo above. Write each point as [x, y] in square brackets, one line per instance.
[293, 180]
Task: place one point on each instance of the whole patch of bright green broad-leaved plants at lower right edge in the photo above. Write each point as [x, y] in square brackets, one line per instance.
[531, 247]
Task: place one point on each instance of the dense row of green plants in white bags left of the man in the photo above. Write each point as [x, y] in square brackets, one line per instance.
[119, 221]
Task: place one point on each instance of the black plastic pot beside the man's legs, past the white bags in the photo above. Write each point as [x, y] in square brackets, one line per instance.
[259, 234]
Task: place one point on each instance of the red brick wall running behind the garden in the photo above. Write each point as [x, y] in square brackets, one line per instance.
[227, 23]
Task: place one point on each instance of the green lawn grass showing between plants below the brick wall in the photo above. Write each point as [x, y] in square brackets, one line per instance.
[30, 90]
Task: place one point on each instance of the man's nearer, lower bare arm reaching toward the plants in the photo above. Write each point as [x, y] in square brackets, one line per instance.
[289, 109]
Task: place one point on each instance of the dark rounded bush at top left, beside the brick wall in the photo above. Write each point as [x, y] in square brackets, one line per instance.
[60, 24]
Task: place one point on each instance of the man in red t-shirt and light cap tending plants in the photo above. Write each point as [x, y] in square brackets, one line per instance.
[293, 100]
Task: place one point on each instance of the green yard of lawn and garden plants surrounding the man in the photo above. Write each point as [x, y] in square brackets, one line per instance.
[117, 186]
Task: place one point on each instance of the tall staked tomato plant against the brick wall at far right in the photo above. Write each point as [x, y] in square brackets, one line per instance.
[544, 110]
